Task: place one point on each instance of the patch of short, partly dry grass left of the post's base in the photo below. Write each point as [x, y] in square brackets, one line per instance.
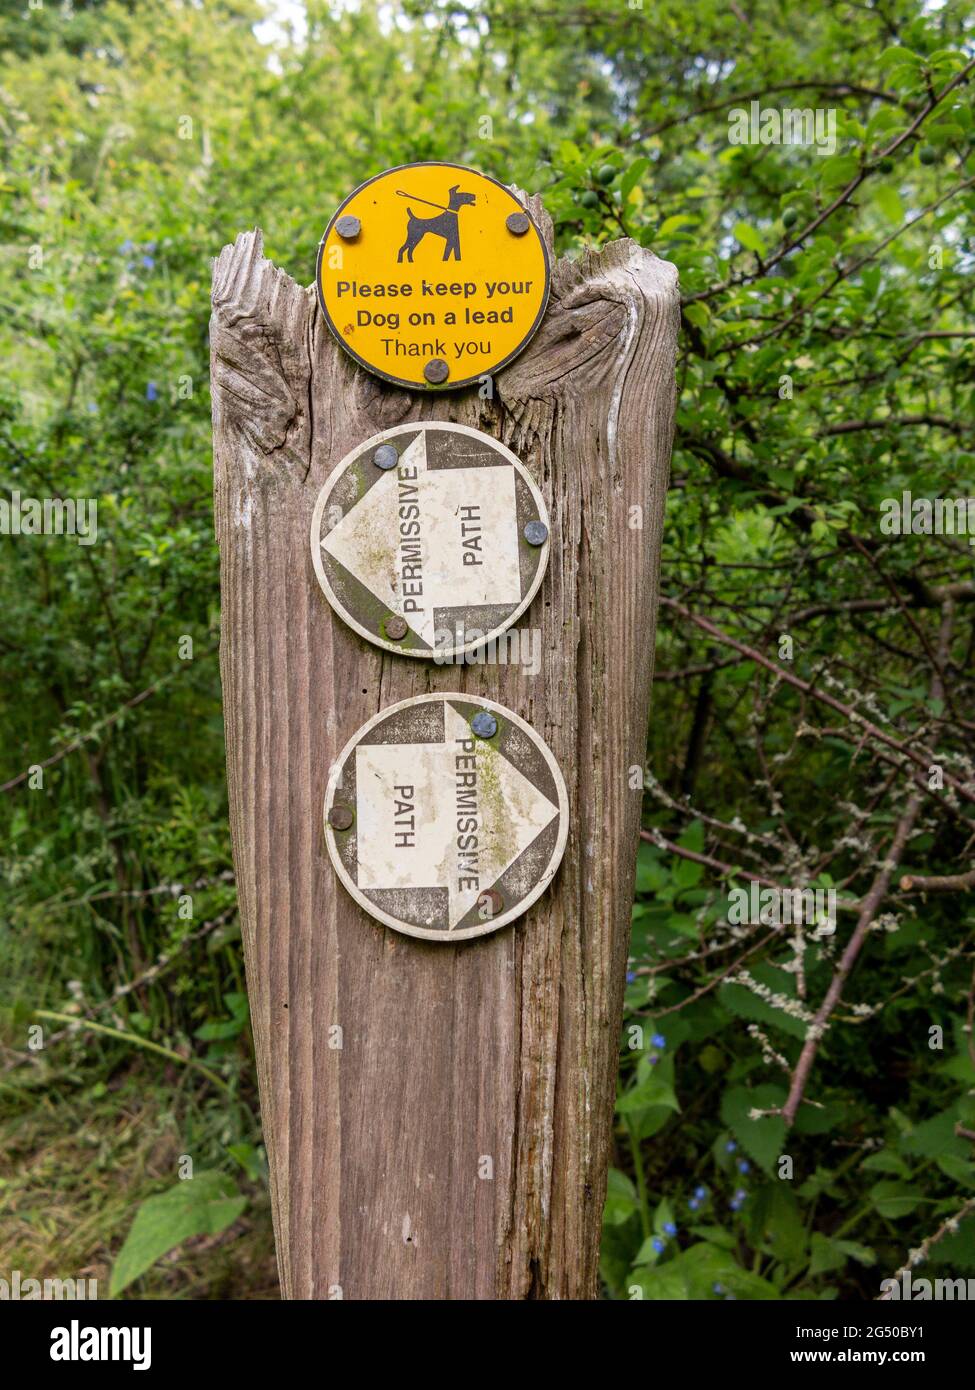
[80, 1156]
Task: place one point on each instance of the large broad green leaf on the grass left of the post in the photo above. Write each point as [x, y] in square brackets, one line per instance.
[202, 1206]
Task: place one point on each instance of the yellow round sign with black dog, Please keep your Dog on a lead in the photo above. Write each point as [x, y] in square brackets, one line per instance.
[433, 276]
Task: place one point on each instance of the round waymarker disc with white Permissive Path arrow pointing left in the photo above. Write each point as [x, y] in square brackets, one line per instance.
[430, 540]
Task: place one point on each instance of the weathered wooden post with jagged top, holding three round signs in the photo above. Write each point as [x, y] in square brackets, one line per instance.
[496, 1057]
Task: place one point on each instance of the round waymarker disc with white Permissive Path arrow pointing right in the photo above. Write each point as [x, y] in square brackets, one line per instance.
[439, 832]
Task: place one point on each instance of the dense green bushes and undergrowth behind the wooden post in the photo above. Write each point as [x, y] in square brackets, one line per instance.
[828, 362]
